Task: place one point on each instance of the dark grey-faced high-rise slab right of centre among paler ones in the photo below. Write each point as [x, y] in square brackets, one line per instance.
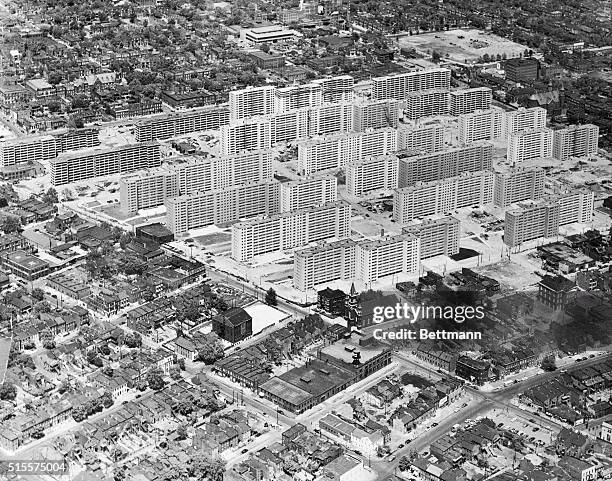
[443, 164]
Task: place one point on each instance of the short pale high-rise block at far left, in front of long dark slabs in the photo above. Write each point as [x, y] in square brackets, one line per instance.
[147, 189]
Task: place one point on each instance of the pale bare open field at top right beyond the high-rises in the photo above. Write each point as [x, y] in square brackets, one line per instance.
[464, 46]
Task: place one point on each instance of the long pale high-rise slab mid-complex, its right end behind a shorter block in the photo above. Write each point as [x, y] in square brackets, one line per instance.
[336, 151]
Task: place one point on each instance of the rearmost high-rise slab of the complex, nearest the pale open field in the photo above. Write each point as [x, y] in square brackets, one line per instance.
[399, 85]
